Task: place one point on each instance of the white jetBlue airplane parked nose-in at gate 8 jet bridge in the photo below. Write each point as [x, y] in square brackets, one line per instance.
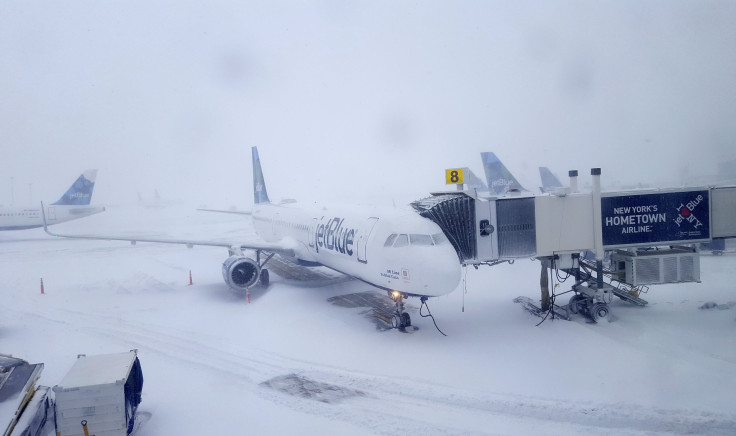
[394, 250]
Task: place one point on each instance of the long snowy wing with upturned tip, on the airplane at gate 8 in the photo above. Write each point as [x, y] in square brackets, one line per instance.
[283, 249]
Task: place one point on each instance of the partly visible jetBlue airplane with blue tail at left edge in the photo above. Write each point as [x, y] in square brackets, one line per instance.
[72, 205]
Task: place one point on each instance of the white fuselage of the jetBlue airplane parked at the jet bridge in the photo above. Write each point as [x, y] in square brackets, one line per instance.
[392, 249]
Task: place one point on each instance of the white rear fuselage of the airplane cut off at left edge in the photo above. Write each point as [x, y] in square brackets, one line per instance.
[21, 218]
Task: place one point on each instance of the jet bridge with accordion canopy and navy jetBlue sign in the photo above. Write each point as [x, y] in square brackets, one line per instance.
[646, 237]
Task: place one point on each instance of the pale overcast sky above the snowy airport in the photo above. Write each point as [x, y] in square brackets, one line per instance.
[373, 98]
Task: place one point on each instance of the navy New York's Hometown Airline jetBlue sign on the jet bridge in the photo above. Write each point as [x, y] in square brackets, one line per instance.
[655, 218]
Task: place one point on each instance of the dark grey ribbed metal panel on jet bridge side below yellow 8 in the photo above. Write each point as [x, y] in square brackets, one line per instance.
[517, 236]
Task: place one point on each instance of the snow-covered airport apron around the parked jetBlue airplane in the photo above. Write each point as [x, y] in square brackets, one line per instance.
[211, 360]
